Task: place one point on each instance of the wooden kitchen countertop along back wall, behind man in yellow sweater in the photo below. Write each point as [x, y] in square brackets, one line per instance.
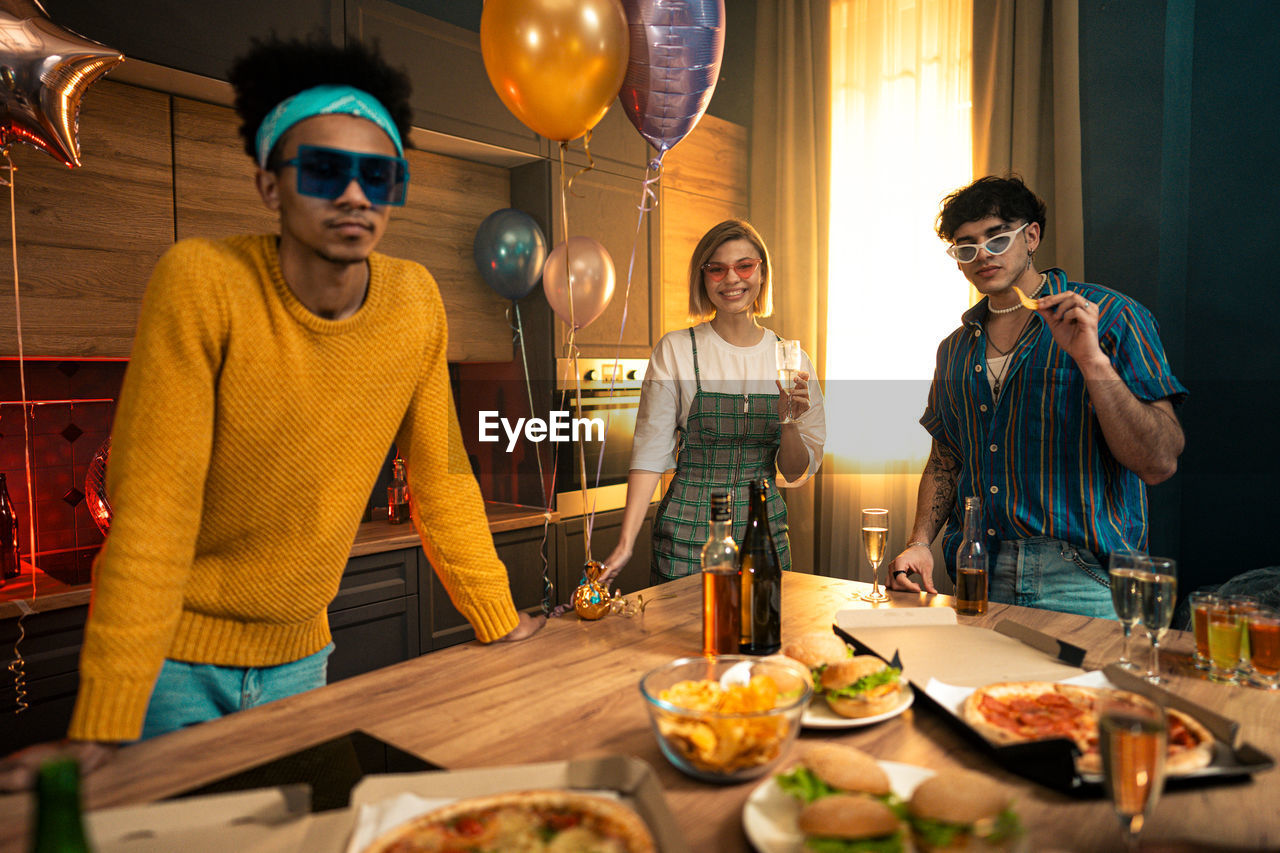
[373, 537]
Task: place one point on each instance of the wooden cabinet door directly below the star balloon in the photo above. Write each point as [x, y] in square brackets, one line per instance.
[89, 238]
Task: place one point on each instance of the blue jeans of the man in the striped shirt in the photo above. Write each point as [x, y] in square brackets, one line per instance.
[1052, 574]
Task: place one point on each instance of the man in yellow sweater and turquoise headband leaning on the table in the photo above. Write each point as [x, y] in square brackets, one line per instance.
[268, 380]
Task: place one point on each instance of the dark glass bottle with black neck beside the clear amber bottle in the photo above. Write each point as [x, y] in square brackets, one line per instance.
[762, 580]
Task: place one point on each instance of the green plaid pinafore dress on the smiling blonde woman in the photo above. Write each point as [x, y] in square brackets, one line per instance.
[728, 441]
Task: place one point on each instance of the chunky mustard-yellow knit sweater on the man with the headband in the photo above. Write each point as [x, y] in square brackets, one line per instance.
[248, 440]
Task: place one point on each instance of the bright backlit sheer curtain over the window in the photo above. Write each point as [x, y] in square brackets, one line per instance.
[902, 140]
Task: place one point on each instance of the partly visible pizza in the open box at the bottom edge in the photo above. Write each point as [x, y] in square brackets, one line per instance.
[531, 822]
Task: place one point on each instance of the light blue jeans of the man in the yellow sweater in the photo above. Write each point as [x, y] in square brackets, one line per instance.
[190, 694]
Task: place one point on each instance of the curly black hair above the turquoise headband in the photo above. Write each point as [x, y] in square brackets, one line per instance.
[275, 70]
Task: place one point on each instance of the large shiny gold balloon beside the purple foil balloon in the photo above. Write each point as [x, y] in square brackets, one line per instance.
[557, 65]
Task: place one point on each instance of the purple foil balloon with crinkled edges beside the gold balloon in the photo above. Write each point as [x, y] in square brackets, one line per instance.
[676, 52]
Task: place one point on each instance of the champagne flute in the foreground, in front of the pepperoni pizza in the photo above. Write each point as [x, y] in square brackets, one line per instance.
[1133, 736]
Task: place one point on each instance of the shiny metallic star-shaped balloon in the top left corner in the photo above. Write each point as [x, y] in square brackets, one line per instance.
[44, 72]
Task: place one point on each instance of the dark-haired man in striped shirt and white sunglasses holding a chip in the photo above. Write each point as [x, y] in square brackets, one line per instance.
[1058, 418]
